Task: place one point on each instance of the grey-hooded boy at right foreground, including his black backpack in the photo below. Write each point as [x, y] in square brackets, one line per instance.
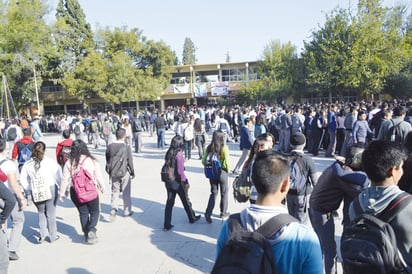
[385, 204]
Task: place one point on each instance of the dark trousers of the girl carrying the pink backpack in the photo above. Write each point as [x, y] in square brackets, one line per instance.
[89, 212]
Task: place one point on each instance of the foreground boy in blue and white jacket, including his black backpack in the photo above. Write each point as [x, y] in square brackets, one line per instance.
[293, 247]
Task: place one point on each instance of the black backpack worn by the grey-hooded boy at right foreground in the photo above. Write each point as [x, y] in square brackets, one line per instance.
[369, 244]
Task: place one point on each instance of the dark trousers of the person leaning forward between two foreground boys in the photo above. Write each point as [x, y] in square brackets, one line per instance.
[324, 227]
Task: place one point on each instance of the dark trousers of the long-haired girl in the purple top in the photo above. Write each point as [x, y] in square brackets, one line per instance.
[171, 196]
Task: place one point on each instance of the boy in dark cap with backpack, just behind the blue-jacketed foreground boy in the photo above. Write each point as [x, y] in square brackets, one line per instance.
[302, 178]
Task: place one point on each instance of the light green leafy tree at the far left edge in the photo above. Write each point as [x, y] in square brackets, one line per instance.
[25, 45]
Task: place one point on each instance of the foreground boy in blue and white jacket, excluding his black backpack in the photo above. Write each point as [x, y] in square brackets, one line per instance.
[296, 248]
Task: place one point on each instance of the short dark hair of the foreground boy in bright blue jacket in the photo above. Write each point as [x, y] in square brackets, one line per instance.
[268, 172]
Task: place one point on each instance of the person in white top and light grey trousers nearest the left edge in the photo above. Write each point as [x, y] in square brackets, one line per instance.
[17, 215]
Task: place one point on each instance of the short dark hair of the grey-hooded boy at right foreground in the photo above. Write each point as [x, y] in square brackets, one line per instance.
[379, 157]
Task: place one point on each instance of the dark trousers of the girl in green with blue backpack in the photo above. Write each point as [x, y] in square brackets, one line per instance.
[222, 183]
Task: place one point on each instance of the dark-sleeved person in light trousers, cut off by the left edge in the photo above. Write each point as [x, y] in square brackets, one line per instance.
[7, 203]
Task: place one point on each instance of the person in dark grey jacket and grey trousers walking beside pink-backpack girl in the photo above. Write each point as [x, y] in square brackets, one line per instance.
[119, 166]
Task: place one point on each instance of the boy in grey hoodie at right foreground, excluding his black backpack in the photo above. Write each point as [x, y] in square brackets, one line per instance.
[382, 161]
